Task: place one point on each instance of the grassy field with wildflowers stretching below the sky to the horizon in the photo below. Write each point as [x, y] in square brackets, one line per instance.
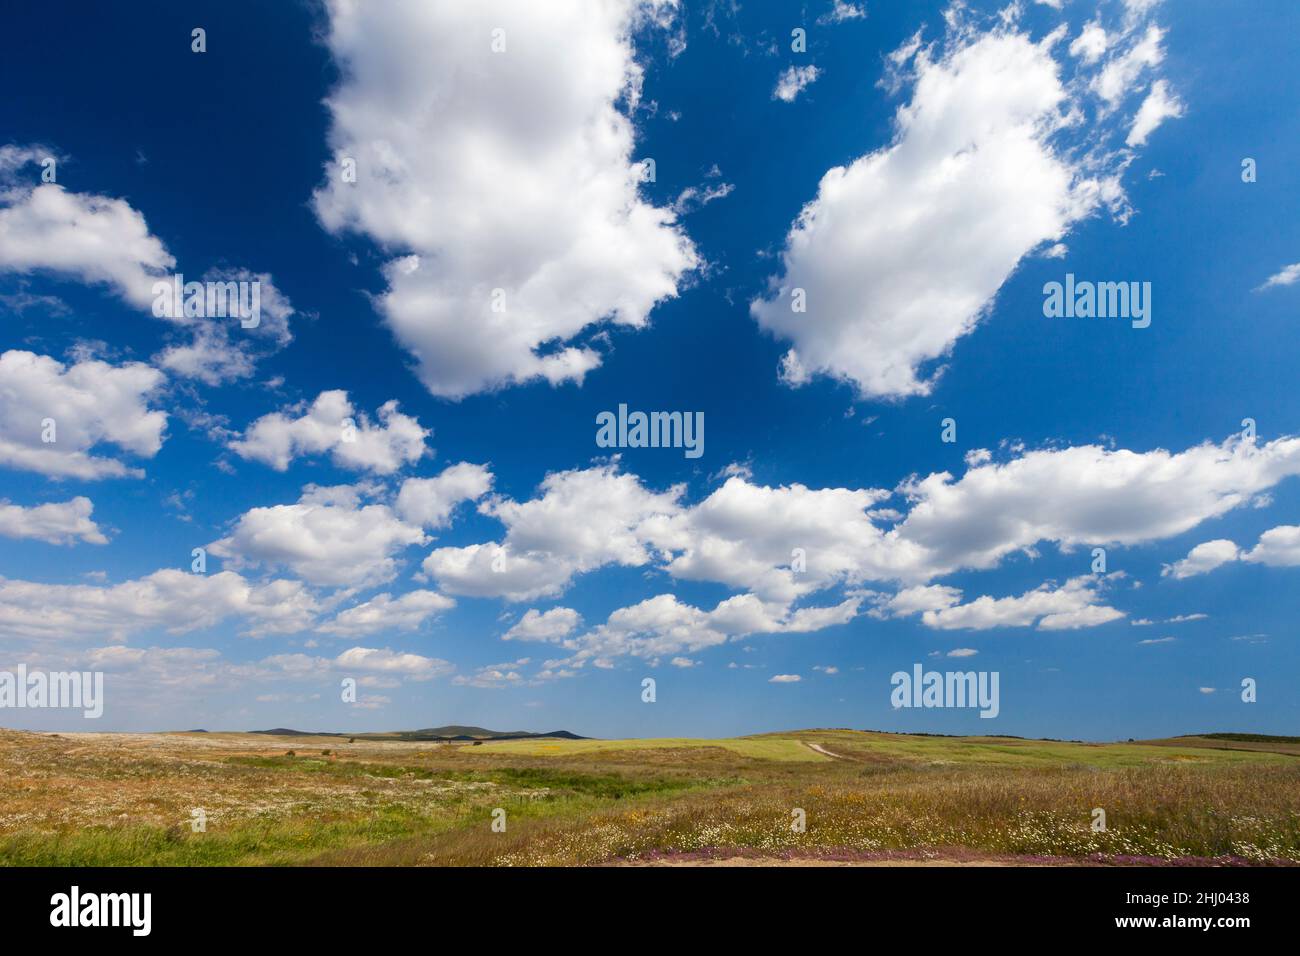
[128, 799]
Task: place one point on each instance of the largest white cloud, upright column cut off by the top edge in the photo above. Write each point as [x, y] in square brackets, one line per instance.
[499, 171]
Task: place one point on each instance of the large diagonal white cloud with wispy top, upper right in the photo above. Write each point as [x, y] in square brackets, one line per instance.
[903, 252]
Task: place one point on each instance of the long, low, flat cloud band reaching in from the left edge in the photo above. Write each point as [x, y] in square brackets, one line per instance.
[170, 600]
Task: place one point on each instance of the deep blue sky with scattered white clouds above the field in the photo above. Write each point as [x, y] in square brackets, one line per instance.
[982, 153]
